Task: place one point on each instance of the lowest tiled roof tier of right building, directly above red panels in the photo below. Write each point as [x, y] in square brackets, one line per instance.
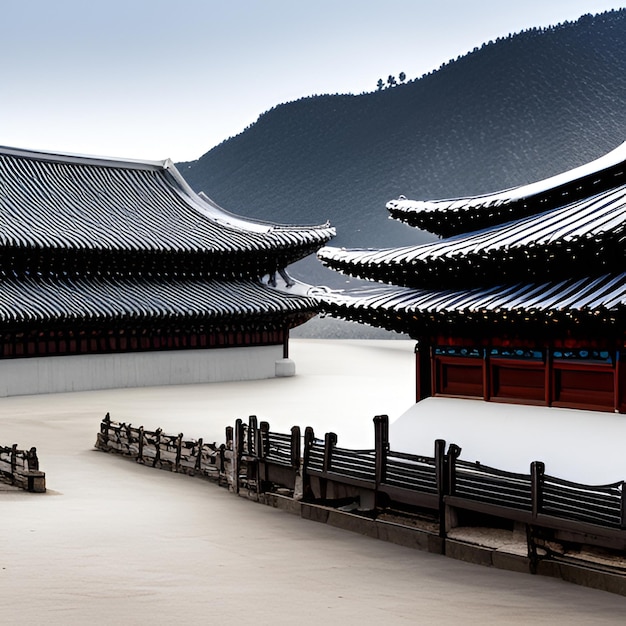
[588, 302]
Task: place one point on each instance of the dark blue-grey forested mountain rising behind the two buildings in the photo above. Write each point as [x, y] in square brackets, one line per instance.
[518, 109]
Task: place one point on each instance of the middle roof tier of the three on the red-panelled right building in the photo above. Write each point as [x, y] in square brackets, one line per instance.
[558, 243]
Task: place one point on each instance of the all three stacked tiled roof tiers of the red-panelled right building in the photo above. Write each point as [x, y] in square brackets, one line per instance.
[562, 261]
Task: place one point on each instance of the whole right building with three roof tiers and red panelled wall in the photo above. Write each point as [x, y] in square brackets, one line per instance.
[521, 300]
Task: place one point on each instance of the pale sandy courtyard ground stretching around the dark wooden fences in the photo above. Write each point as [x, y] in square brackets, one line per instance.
[113, 542]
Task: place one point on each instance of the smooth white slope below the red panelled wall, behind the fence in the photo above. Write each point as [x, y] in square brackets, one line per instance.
[581, 446]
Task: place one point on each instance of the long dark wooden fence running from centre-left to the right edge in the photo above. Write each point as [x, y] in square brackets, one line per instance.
[258, 460]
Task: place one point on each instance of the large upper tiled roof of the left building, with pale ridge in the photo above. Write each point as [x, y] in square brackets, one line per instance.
[71, 205]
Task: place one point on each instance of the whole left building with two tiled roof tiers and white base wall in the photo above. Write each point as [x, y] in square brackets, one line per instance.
[116, 273]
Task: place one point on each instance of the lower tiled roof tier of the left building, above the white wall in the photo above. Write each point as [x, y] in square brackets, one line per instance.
[105, 301]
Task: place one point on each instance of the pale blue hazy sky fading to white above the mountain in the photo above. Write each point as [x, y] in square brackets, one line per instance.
[152, 79]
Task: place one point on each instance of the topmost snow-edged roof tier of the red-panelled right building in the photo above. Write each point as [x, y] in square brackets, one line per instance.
[448, 217]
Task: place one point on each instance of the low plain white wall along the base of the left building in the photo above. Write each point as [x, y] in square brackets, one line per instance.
[139, 369]
